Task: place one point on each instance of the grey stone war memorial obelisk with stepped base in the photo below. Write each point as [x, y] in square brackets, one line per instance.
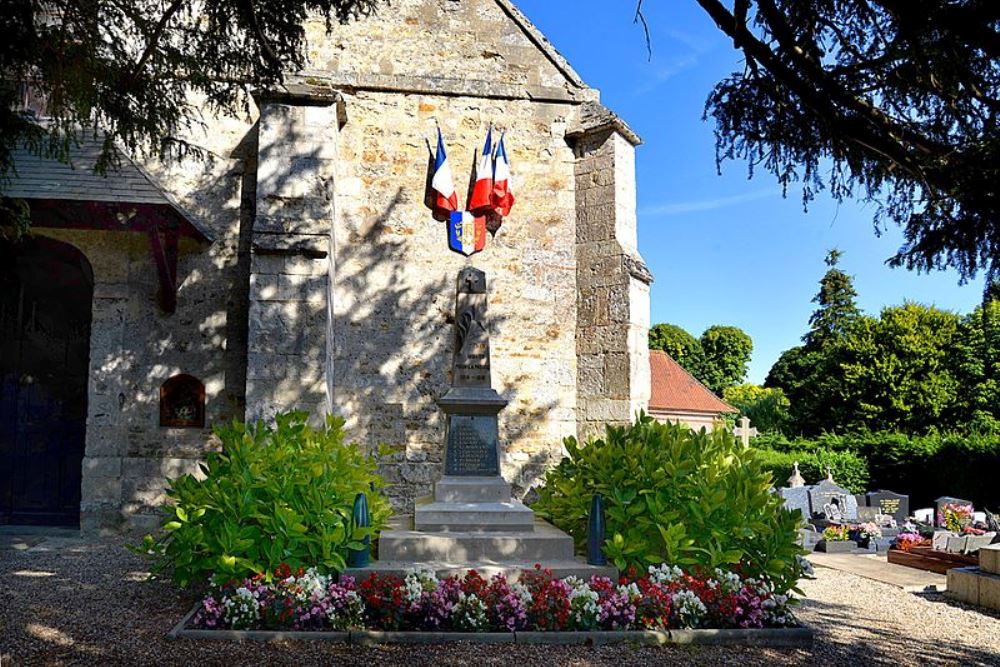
[471, 522]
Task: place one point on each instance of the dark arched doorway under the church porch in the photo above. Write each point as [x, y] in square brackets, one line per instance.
[46, 291]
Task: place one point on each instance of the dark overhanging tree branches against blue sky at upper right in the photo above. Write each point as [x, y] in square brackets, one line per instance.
[892, 101]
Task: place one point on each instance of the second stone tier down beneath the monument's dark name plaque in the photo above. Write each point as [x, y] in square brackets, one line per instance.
[437, 517]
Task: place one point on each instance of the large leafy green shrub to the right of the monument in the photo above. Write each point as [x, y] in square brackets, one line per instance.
[677, 496]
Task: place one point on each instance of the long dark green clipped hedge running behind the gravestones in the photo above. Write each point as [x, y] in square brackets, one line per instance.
[923, 467]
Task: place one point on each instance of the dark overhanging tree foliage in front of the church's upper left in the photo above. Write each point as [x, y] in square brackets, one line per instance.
[142, 72]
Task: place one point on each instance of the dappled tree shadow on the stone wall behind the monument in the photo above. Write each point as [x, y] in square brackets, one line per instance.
[392, 355]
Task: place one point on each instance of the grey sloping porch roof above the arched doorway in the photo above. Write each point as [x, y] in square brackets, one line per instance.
[37, 178]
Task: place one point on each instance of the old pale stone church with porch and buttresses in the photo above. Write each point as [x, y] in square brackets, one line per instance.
[298, 267]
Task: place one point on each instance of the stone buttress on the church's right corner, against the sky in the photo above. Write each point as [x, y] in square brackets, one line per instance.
[613, 281]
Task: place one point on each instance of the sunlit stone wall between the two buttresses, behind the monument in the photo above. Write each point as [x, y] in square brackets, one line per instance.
[393, 293]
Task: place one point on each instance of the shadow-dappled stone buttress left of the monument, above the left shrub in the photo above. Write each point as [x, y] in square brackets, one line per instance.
[287, 365]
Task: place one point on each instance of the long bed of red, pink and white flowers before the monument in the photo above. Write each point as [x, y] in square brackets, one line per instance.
[662, 598]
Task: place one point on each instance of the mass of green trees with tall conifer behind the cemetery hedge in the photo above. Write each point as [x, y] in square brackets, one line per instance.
[914, 368]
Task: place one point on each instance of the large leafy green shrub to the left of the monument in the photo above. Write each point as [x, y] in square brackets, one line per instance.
[274, 494]
